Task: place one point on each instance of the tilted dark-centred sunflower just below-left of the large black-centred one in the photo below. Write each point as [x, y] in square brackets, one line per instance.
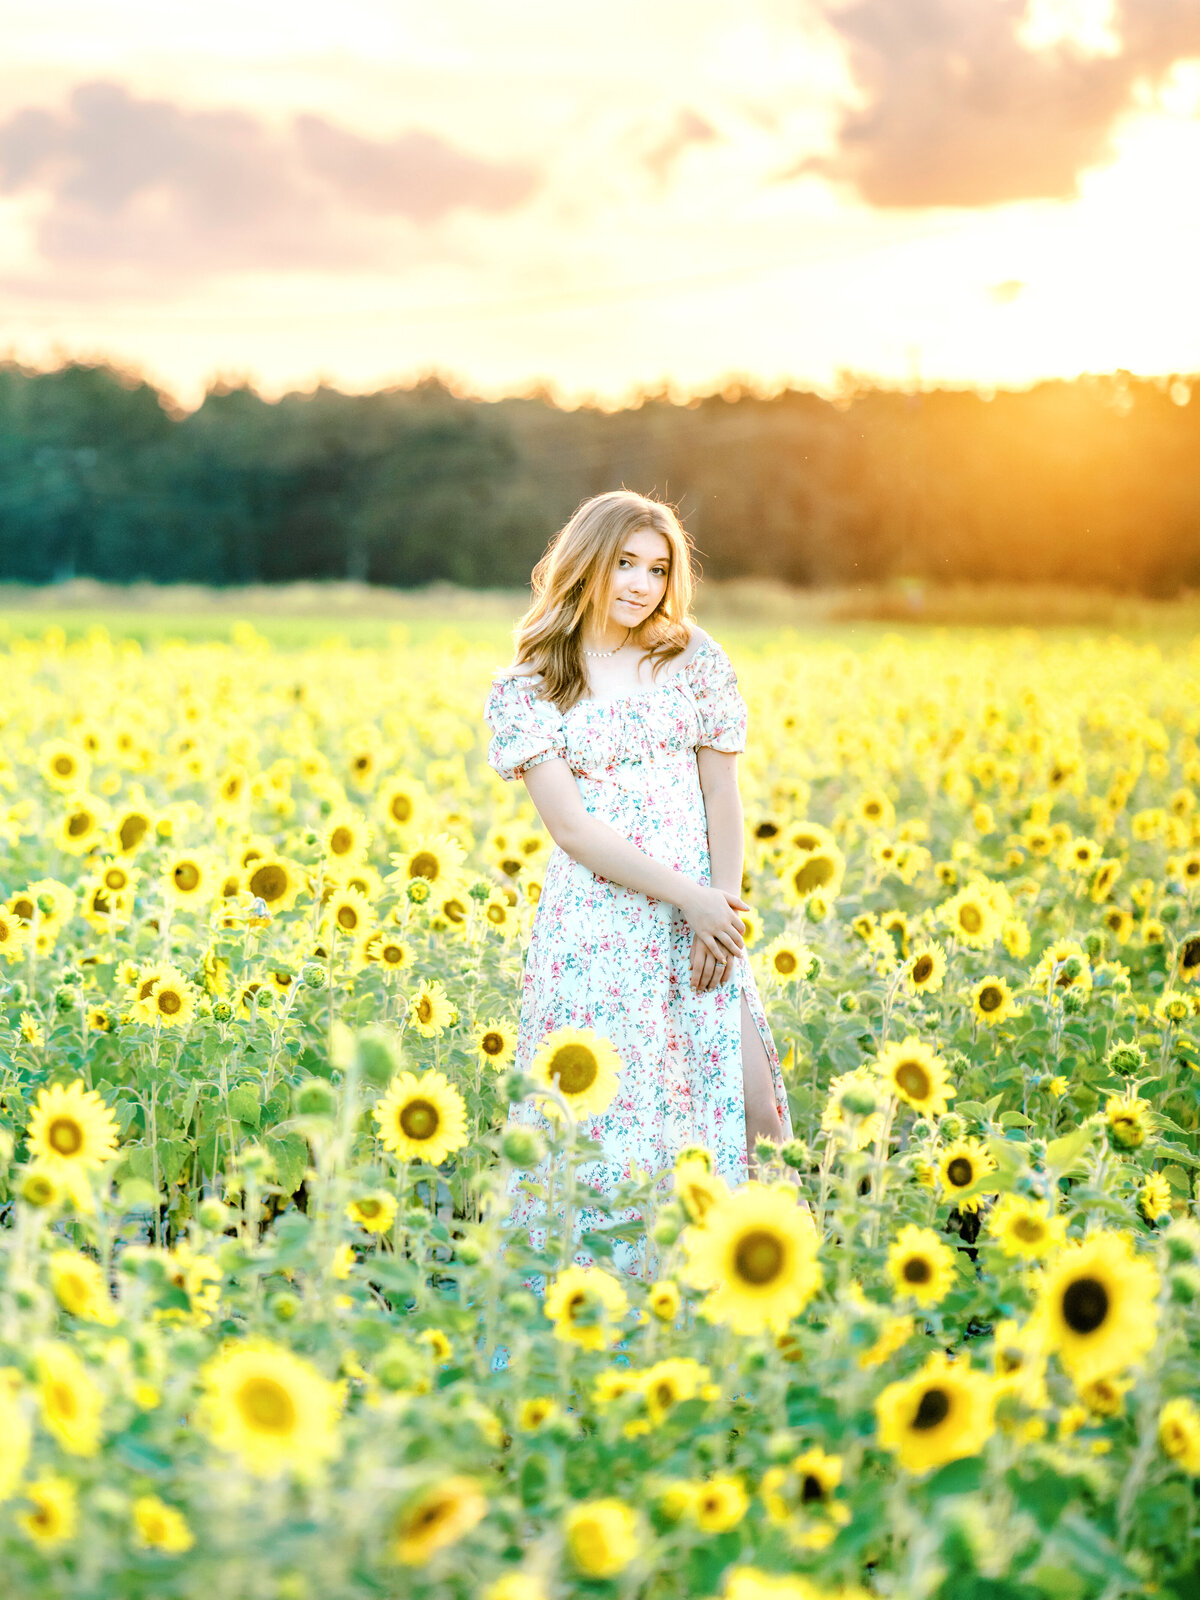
[942, 1414]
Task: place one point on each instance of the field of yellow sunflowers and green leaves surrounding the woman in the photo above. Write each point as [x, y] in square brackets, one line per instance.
[266, 1326]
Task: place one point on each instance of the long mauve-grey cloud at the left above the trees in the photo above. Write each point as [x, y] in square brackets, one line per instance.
[135, 186]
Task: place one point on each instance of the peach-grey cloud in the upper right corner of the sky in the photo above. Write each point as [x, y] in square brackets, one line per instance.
[959, 111]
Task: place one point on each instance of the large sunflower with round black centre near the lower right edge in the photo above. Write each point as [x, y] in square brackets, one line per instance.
[1098, 1306]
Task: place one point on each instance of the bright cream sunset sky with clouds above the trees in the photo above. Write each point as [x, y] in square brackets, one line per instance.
[602, 199]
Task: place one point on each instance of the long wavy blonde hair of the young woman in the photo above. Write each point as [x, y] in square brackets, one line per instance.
[574, 582]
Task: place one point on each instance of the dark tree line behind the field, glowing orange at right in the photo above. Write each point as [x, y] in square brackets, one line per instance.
[1092, 481]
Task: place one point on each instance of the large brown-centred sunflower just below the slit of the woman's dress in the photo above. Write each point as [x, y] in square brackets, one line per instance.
[756, 1255]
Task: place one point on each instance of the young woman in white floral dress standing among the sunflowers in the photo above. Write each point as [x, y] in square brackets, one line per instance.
[625, 721]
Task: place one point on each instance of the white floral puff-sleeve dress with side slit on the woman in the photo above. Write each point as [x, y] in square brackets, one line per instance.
[618, 962]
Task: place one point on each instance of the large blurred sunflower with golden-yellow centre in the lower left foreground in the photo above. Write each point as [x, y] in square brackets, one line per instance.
[270, 1409]
